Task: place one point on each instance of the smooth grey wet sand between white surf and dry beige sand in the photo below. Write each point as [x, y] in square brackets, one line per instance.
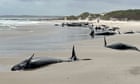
[39, 37]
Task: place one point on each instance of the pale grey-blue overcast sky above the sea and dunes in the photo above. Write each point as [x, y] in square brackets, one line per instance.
[64, 7]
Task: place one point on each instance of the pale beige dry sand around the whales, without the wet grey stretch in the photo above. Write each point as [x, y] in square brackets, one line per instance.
[106, 67]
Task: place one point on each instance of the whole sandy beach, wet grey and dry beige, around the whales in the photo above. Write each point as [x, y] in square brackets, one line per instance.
[107, 66]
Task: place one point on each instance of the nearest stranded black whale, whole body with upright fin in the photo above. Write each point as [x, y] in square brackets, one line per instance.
[34, 63]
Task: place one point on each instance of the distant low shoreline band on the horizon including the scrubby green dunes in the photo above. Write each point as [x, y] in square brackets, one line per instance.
[121, 15]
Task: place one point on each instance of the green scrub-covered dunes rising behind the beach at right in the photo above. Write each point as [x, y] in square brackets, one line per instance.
[131, 14]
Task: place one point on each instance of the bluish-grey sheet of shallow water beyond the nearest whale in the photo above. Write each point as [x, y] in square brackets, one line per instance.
[44, 42]
